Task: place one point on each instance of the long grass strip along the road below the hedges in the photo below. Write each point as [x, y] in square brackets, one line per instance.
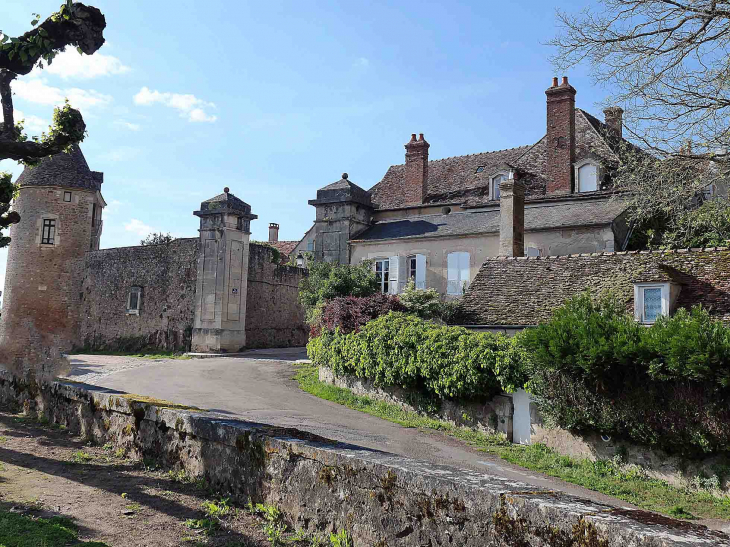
[628, 483]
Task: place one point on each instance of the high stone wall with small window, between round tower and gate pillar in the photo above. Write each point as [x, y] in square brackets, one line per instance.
[167, 275]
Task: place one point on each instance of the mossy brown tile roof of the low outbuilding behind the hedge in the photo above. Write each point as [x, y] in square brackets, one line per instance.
[506, 291]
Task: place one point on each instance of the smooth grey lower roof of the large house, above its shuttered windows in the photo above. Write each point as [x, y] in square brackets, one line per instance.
[538, 216]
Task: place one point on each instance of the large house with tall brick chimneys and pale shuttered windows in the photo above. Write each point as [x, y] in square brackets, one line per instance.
[437, 221]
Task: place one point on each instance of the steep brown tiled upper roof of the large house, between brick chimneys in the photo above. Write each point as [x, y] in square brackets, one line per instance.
[456, 178]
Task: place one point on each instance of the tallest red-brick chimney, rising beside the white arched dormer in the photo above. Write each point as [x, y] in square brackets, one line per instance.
[560, 137]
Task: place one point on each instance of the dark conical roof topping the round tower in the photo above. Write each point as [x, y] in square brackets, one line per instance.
[68, 170]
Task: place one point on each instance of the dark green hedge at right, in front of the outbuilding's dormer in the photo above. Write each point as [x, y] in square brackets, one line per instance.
[593, 368]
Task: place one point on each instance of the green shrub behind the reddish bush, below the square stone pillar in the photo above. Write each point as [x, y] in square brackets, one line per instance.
[327, 281]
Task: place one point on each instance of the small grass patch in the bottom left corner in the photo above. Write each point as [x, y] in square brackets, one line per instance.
[24, 531]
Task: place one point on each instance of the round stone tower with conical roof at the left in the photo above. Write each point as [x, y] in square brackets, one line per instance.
[60, 206]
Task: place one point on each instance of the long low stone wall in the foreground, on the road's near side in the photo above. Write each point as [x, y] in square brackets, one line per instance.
[321, 486]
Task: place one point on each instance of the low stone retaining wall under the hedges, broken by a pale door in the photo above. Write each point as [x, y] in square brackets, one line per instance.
[497, 416]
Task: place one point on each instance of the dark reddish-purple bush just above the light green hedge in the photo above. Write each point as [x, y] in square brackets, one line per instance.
[349, 313]
